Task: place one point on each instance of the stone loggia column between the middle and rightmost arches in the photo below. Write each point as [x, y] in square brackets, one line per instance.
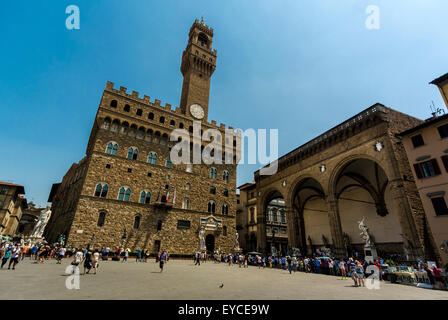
[339, 249]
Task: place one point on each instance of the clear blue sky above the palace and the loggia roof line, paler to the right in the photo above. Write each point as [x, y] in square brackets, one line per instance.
[299, 66]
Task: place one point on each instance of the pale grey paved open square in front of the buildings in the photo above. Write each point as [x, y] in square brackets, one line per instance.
[182, 280]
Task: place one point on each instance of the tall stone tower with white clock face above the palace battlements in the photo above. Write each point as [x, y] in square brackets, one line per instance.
[198, 64]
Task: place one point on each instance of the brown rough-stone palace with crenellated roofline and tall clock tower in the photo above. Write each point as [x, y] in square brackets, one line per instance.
[101, 199]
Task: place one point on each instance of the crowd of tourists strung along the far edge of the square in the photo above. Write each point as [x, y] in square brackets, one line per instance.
[355, 269]
